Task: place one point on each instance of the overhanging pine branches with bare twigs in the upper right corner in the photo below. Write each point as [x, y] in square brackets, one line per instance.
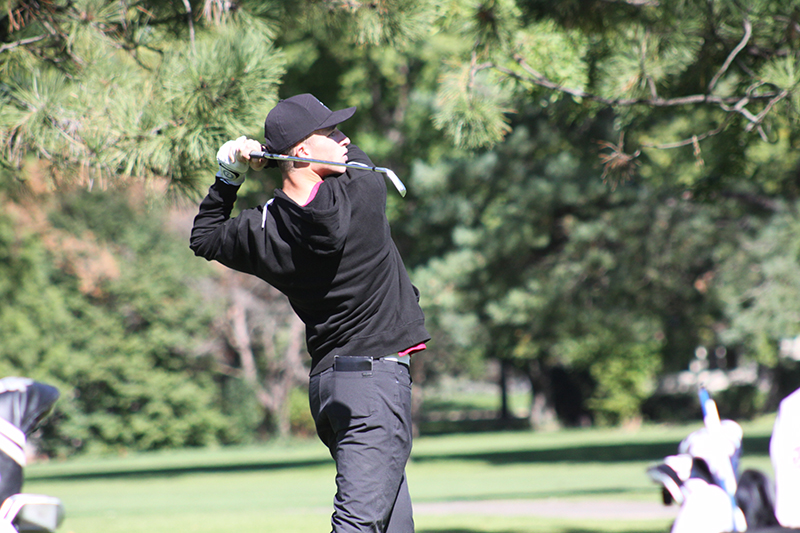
[634, 61]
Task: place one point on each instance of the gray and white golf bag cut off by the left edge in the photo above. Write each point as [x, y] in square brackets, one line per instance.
[23, 404]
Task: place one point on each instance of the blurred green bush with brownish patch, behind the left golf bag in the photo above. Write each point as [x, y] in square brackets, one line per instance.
[112, 323]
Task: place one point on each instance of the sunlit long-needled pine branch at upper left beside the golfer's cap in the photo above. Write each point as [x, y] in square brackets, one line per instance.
[139, 104]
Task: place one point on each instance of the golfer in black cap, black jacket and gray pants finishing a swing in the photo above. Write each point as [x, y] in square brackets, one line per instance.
[324, 241]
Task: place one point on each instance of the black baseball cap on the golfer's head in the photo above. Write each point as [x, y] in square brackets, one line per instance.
[295, 118]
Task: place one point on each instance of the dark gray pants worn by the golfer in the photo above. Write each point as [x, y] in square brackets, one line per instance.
[364, 417]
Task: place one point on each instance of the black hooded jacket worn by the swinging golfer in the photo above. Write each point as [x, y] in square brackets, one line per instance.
[333, 258]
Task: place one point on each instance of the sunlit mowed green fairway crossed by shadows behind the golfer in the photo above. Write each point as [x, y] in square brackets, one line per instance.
[575, 481]
